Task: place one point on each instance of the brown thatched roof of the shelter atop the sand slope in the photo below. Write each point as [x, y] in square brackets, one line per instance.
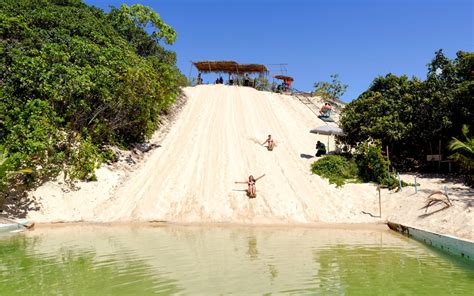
[228, 67]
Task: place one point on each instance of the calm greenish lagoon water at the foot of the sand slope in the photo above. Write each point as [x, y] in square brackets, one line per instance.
[217, 260]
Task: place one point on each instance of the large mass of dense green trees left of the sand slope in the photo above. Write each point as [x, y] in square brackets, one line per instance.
[74, 79]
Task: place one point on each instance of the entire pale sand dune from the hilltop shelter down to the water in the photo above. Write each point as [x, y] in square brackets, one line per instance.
[214, 142]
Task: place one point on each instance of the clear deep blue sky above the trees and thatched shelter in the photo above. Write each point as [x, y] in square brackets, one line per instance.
[358, 40]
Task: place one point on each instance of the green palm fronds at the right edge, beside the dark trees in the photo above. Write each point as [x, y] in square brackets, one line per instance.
[464, 152]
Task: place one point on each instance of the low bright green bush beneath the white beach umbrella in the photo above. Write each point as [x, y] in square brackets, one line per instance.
[337, 169]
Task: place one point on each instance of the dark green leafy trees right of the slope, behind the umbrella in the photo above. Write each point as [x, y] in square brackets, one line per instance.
[412, 116]
